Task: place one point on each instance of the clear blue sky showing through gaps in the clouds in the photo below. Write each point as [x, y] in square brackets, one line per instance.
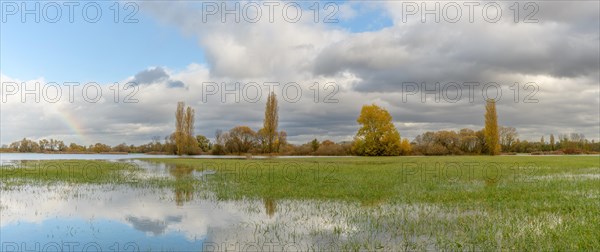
[106, 51]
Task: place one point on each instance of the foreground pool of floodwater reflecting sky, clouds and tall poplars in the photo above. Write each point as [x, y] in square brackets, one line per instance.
[130, 218]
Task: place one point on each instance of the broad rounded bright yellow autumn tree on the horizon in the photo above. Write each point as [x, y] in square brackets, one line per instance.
[378, 135]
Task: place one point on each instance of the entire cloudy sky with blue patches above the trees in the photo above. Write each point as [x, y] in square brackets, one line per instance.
[368, 54]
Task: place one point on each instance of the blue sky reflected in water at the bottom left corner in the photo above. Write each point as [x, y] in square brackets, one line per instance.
[78, 234]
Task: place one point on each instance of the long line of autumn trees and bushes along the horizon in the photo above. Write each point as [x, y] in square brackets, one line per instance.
[376, 136]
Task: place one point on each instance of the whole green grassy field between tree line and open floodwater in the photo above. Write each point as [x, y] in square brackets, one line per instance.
[464, 203]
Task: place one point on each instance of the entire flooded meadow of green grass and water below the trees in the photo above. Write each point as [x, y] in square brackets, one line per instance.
[343, 204]
